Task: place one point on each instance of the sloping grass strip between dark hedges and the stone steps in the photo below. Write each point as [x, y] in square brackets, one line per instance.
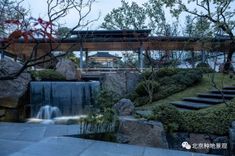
[204, 86]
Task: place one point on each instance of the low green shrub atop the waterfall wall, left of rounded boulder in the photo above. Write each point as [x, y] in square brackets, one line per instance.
[47, 74]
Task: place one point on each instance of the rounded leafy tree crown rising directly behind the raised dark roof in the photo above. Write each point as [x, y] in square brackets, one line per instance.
[125, 17]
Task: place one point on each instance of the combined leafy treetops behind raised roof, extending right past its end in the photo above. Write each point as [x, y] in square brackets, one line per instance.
[150, 15]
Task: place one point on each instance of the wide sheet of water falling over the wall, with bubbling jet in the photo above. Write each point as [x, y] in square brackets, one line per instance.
[71, 98]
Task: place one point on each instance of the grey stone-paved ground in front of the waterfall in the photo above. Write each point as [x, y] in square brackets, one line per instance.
[47, 140]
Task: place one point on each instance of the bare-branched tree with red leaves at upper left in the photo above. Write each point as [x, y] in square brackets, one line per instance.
[37, 29]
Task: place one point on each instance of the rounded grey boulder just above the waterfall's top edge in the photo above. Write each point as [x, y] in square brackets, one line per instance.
[68, 69]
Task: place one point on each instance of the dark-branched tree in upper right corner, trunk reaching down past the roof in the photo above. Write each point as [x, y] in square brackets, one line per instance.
[220, 13]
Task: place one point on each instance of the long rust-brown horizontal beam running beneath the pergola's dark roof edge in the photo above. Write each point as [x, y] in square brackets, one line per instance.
[25, 49]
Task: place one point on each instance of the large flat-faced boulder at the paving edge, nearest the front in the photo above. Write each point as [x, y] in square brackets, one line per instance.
[141, 132]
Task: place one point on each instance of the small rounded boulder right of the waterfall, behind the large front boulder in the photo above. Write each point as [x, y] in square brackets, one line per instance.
[124, 107]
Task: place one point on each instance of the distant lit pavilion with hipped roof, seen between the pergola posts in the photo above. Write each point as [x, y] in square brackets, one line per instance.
[103, 60]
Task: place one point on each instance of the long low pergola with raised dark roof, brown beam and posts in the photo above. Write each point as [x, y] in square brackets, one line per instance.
[118, 40]
